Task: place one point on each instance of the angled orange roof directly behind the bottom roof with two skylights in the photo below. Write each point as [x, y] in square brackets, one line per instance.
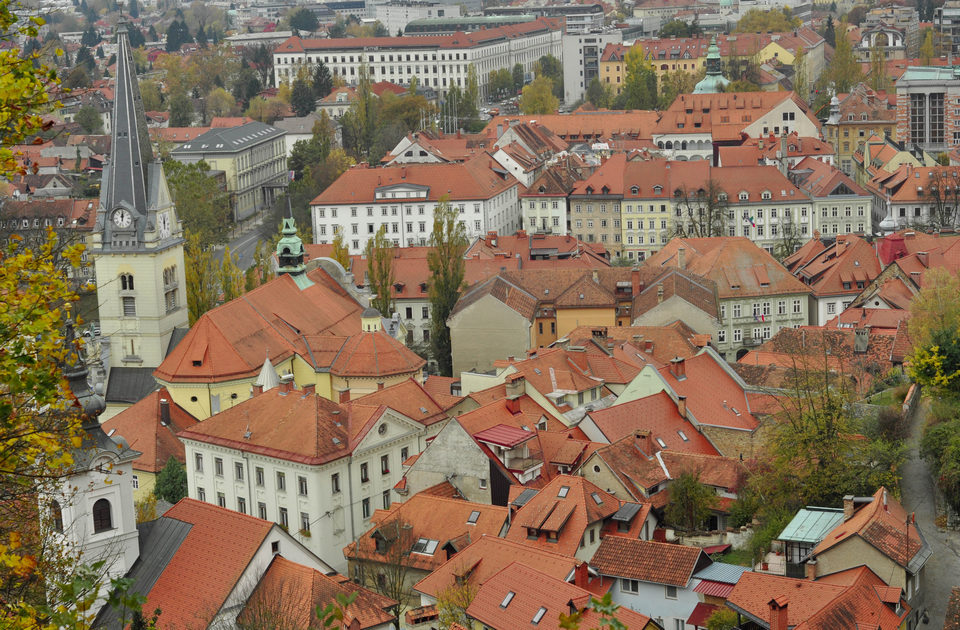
[486, 556]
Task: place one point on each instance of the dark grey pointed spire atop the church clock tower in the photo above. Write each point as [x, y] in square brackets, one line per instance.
[125, 182]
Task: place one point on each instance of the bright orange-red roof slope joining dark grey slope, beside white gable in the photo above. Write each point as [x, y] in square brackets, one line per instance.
[203, 571]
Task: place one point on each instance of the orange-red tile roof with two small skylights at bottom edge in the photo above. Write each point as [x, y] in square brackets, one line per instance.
[537, 594]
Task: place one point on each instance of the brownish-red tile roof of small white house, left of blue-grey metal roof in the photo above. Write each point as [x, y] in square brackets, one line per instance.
[648, 561]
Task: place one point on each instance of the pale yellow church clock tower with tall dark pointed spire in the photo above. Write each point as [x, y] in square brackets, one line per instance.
[138, 239]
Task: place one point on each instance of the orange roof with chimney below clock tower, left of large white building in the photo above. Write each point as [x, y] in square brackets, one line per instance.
[142, 426]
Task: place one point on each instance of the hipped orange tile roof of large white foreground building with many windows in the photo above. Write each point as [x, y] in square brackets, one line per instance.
[293, 426]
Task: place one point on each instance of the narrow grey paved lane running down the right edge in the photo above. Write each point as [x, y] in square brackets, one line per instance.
[943, 568]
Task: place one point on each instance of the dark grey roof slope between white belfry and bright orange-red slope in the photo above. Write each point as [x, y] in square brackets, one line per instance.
[159, 542]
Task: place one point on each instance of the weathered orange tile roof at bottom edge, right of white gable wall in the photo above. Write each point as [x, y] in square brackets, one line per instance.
[302, 590]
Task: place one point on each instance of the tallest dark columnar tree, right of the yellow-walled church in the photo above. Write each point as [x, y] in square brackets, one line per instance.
[448, 243]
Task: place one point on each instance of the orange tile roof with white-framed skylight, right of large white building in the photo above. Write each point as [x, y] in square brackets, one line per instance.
[432, 518]
